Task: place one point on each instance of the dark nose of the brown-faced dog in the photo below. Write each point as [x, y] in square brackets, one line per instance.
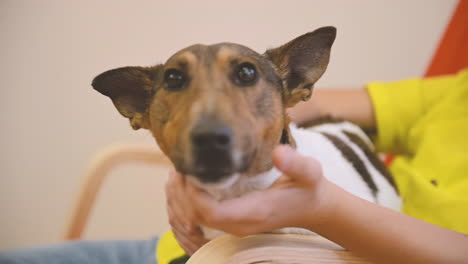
[211, 136]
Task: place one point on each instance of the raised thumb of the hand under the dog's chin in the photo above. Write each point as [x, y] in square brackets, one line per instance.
[303, 169]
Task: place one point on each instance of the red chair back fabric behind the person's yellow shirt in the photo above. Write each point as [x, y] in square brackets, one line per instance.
[452, 53]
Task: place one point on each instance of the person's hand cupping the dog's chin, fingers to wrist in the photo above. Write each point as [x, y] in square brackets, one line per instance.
[296, 200]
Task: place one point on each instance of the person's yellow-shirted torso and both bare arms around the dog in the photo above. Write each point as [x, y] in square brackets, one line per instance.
[425, 122]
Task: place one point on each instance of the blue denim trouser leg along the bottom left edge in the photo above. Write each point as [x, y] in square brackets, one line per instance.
[85, 252]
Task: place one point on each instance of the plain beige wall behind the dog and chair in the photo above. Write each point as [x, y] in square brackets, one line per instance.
[52, 121]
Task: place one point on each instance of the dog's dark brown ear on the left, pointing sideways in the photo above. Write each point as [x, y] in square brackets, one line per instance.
[131, 90]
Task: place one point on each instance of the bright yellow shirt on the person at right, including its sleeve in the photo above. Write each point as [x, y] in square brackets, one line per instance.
[425, 121]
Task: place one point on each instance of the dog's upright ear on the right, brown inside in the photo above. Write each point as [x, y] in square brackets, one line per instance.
[301, 62]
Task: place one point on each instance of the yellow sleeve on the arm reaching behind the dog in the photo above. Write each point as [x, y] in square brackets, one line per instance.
[398, 106]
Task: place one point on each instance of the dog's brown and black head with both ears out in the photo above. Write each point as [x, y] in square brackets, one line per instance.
[219, 110]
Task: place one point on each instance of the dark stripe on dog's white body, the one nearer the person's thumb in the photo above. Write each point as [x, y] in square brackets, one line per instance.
[349, 154]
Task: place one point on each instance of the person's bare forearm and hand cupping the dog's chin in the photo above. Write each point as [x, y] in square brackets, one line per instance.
[306, 199]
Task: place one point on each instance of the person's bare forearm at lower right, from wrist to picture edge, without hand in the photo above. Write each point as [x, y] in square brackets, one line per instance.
[386, 236]
